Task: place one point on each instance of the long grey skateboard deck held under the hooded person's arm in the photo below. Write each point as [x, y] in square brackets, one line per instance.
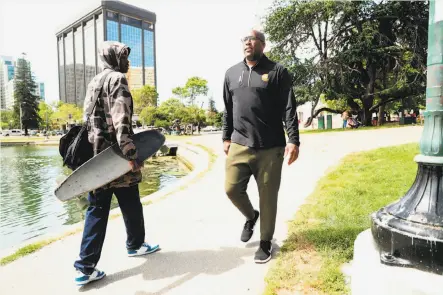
[107, 166]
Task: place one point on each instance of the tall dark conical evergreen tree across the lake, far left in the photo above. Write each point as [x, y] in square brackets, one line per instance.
[26, 103]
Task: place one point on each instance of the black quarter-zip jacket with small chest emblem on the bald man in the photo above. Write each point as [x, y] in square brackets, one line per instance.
[257, 102]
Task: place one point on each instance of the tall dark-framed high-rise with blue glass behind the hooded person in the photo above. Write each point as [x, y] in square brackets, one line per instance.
[112, 21]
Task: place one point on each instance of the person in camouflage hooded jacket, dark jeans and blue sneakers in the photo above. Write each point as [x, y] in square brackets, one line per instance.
[111, 122]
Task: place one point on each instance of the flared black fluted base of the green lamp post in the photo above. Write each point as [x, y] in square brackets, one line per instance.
[409, 233]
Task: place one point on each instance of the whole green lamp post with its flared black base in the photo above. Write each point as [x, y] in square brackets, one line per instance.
[409, 232]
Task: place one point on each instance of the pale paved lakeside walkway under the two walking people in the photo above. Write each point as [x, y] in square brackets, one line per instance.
[198, 230]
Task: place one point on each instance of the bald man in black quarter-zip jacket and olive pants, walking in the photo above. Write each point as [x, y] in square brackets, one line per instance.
[258, 98]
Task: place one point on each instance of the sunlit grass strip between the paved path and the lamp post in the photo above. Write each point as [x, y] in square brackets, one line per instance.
[322, 235]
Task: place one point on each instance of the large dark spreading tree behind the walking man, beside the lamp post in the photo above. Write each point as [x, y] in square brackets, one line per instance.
[364, 53]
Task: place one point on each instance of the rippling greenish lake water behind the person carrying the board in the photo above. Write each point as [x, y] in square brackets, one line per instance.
[28, 207]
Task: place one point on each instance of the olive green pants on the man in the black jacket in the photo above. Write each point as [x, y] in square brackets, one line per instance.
[266, 166]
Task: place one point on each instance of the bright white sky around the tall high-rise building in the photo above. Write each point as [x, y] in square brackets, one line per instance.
[194, 37]
